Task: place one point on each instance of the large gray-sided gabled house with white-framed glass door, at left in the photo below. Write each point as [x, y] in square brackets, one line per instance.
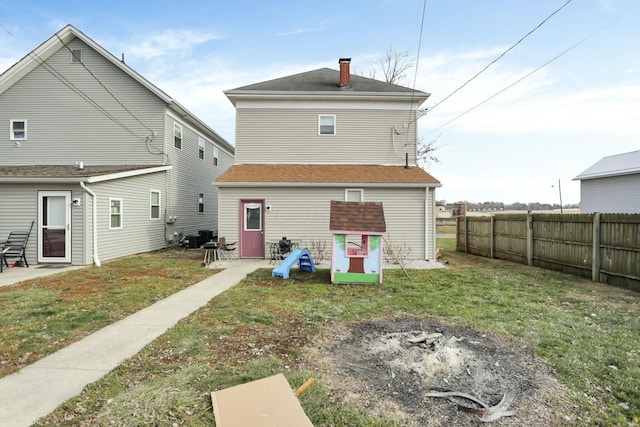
[104, 162]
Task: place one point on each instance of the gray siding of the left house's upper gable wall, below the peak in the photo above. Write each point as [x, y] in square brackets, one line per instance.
[64, 128]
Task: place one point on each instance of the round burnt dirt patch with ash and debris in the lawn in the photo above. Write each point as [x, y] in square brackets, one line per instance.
[372, 365]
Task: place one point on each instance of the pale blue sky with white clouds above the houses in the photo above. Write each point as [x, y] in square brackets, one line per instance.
[551, 125]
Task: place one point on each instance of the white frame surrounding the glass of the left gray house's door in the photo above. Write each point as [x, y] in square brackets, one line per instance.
[62, 224]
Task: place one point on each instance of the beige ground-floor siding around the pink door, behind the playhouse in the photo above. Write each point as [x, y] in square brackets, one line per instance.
[302, 214]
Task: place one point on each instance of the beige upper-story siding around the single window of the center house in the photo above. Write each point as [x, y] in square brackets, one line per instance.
[364, 136]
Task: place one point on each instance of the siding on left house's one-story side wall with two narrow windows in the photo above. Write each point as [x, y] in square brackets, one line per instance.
[139, 232]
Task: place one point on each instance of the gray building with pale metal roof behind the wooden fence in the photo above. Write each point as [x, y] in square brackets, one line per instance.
[611, 185]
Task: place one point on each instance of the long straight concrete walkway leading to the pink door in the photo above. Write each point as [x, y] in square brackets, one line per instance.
[38, 389]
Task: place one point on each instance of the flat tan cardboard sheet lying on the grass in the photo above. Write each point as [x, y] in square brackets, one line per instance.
[268, 402]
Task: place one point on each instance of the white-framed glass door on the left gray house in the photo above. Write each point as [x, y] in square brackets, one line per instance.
[54, 226]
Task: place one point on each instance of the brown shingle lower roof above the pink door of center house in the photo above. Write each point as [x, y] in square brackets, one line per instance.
[254, 173]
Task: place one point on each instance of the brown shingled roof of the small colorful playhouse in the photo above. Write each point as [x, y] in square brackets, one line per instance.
[357, 216]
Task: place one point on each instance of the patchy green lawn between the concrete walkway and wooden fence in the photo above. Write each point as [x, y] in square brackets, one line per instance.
[587, 333]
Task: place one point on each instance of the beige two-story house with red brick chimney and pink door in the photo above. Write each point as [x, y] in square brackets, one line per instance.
[322, 135]
